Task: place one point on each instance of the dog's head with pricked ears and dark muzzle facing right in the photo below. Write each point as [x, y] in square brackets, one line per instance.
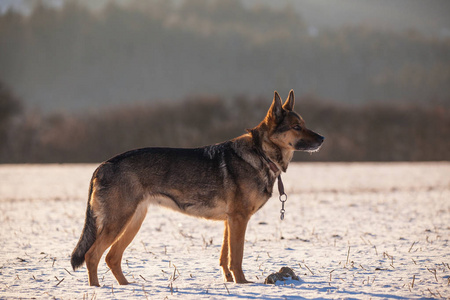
[287, 129]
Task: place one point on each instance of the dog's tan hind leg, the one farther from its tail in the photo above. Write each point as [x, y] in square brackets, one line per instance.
[114, 256]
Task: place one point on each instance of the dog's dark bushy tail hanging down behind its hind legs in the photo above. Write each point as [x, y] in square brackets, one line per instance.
[87, 237]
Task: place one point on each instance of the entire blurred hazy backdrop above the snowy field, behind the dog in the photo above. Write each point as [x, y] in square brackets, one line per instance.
[81, 81]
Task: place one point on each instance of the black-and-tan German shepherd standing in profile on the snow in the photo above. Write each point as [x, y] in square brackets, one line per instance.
[229, 182]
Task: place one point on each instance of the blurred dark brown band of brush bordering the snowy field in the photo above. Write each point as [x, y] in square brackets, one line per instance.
[372, 132]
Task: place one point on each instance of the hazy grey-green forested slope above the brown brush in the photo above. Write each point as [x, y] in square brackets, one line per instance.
[75, 58]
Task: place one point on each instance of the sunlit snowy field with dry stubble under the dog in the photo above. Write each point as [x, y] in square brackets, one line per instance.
[360, 231]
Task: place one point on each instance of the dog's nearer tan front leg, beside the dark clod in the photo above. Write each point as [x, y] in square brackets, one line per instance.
[236, 236]
